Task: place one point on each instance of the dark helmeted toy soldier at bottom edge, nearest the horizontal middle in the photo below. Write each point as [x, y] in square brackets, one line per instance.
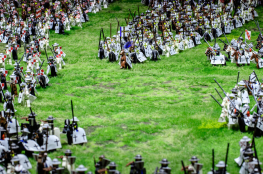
[137, 165]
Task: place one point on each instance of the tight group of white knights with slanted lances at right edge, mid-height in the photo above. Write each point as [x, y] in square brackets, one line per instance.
[236, 108]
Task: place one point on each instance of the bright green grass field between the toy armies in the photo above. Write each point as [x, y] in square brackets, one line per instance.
[158, 109]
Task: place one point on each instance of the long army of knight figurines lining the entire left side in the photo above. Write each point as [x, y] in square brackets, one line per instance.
[28, 33]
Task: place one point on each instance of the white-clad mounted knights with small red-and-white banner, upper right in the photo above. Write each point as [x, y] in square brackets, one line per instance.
[238, 51]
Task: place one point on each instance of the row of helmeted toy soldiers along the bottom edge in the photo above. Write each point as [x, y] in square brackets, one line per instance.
[248, 160]
